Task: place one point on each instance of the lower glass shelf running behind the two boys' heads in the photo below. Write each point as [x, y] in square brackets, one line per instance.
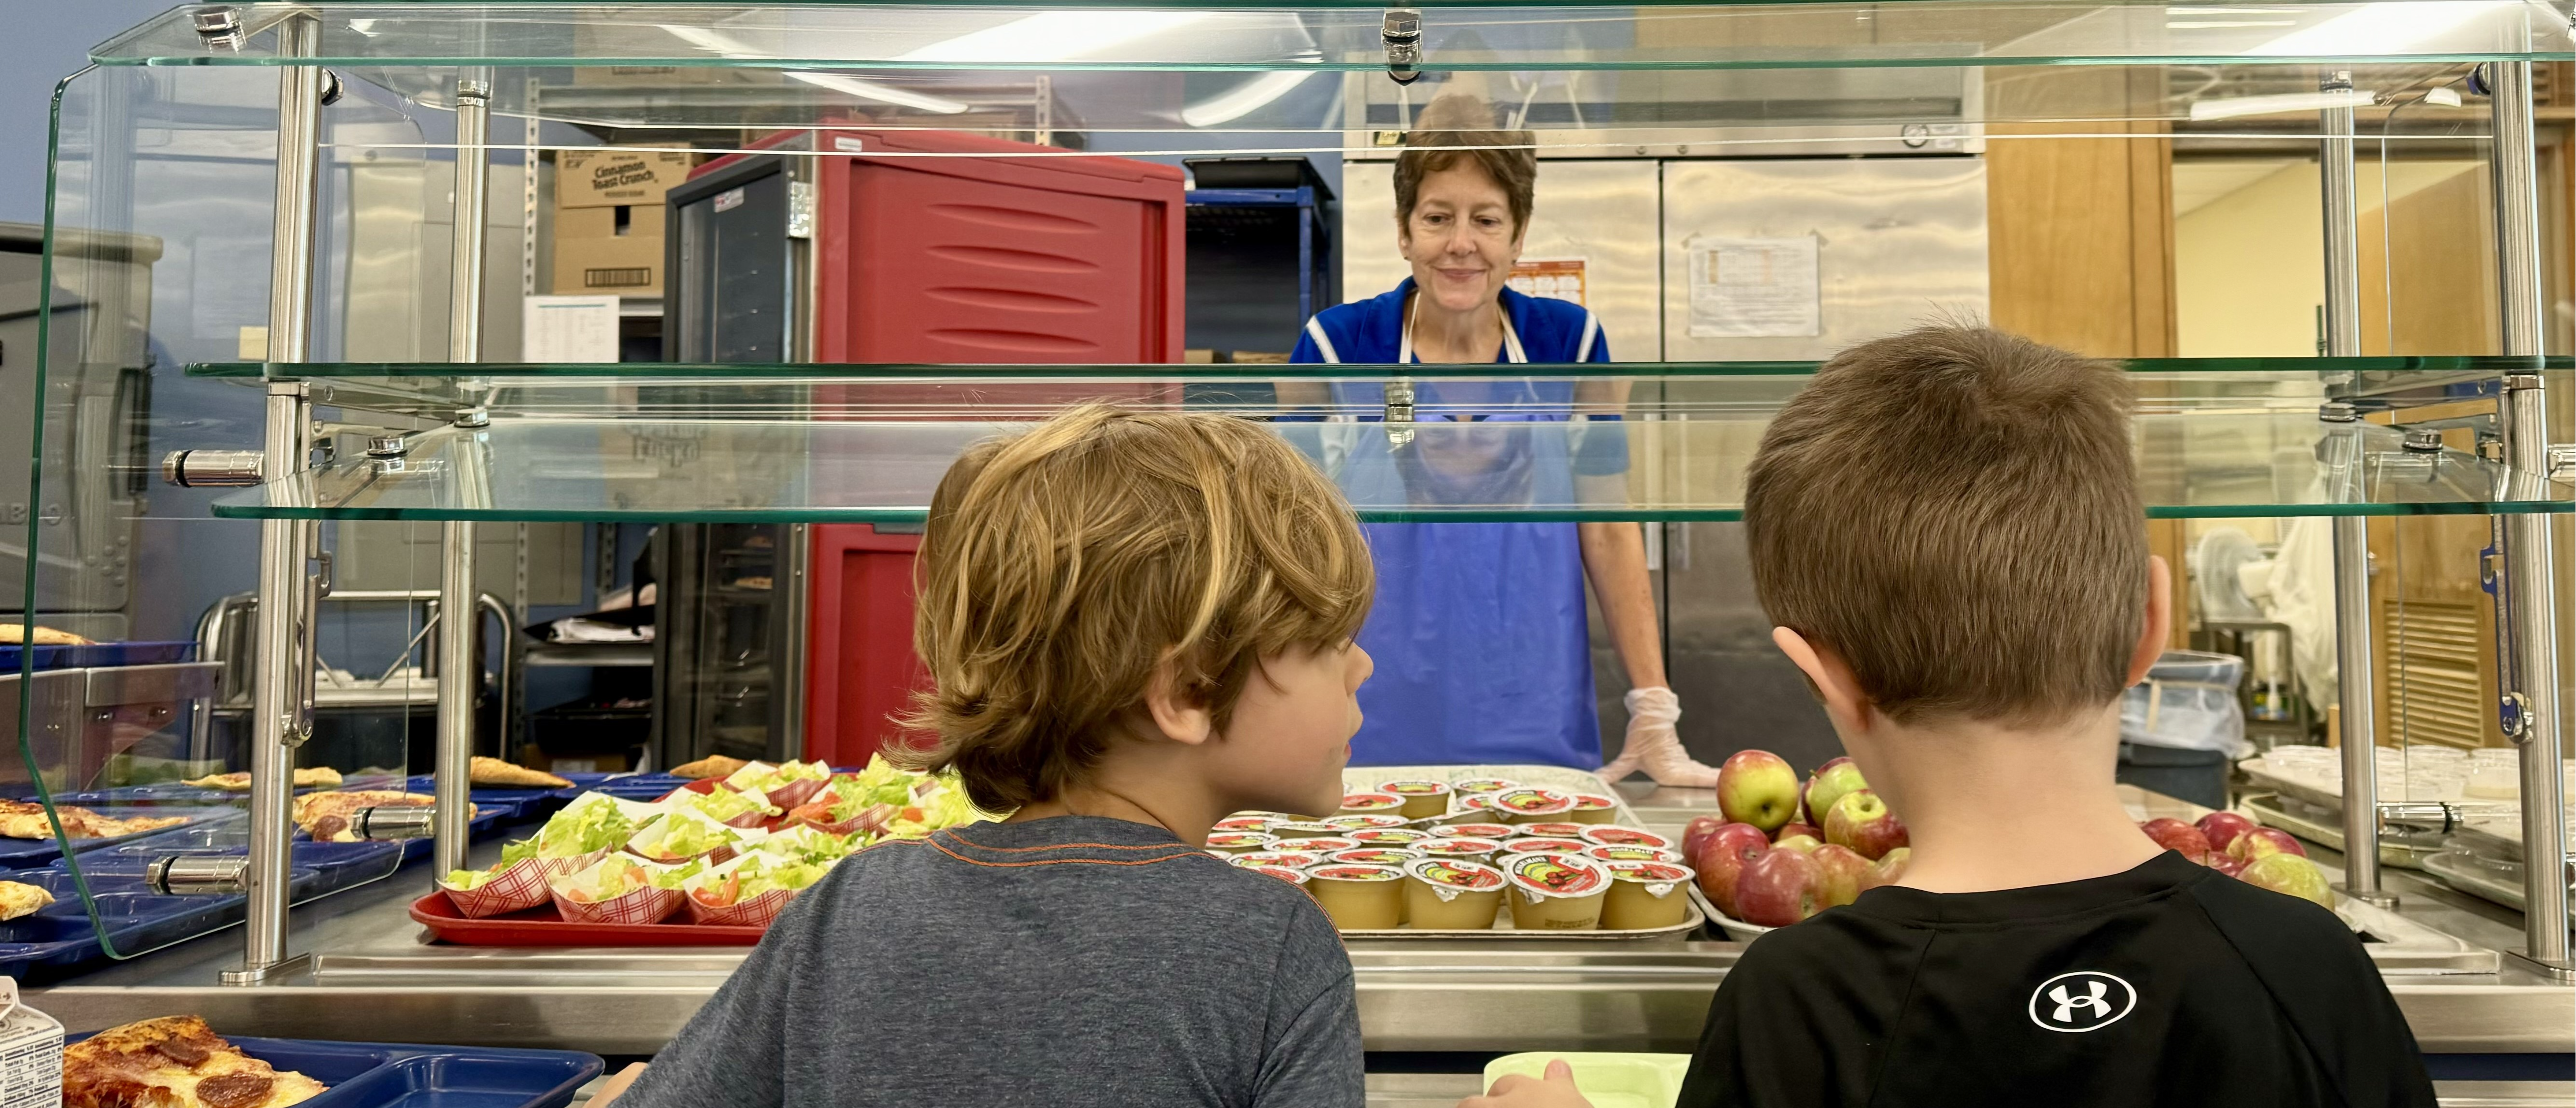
[643, 447]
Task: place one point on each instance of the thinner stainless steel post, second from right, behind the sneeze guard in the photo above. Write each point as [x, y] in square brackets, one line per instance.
[2353, 671]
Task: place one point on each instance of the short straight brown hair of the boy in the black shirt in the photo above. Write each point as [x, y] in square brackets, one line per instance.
[1956, 514]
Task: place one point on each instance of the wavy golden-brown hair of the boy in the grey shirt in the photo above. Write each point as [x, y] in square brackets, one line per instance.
[1065, 566]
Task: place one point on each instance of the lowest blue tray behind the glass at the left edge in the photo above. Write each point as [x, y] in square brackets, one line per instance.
[58, 937]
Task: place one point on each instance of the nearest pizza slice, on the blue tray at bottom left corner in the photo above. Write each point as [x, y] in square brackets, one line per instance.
[174, 1063]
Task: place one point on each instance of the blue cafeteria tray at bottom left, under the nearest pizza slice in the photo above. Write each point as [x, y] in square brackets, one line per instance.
[390, 1076]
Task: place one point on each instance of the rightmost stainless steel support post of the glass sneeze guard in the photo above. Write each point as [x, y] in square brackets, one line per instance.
[2531, 712]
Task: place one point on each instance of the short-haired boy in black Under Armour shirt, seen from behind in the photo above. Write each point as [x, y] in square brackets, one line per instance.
[1969, 612]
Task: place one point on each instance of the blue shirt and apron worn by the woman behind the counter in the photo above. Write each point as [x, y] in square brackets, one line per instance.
[1480, 638]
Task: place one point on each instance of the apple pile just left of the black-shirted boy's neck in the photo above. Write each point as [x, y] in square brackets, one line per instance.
[1786, 852]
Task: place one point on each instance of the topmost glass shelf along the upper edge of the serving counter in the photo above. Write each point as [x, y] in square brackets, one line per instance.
[1343, 35]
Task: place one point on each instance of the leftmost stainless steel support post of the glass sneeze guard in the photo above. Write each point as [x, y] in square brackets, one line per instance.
[277, 712]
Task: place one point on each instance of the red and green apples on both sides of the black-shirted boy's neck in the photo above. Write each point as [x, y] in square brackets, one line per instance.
[1766, 862]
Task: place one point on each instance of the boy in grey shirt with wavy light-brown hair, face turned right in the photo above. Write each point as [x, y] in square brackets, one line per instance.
[1137, 622]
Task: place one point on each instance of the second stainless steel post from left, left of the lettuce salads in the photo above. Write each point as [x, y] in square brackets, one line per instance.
[460, 661]
